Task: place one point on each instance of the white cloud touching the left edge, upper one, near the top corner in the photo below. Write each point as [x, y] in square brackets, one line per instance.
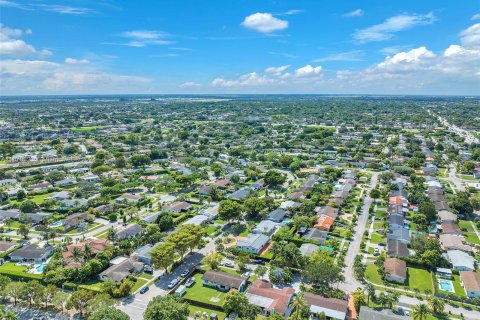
[11, 45]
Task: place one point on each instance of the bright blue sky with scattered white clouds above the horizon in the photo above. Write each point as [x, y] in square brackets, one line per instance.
[239, 46]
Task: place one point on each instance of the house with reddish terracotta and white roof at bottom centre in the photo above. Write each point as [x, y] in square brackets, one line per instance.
[262, 294]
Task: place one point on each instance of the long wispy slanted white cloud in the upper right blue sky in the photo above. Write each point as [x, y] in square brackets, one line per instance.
[387, 29]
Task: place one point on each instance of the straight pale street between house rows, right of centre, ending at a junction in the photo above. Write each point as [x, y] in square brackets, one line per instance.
[351, 284]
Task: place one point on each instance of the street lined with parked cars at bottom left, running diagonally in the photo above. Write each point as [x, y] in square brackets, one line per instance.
[136, 304]
